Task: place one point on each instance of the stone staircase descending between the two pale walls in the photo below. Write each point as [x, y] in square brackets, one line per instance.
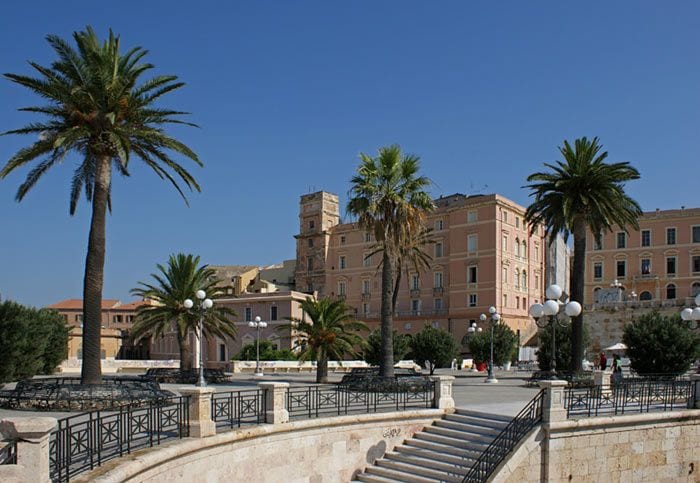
[443, 451]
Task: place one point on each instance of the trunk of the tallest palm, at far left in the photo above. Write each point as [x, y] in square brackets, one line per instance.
[94, 275]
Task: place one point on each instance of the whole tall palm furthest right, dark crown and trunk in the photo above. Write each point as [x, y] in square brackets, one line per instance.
[582, 192]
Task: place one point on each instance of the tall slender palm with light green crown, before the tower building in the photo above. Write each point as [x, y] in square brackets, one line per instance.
[390, 200]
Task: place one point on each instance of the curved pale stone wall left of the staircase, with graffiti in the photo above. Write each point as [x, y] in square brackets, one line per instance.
[319, 450]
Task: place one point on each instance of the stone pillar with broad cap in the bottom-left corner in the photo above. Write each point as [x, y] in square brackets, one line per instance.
[32, 436]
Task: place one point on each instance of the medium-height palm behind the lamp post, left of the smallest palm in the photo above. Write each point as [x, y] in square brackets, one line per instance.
[182, 277]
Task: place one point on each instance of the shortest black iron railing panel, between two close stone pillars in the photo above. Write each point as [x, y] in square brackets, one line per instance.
[234, 408]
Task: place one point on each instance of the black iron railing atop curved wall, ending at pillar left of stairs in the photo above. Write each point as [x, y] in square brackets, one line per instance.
[328, 400]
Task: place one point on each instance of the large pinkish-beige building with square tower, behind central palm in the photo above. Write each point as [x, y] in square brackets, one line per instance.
[483, 255]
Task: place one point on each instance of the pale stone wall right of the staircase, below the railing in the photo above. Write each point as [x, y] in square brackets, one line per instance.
[639, 447]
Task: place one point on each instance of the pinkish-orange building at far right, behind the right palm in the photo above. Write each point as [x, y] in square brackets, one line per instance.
[659, 262]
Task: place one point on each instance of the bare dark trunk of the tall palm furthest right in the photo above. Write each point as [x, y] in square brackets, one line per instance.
[577, 280]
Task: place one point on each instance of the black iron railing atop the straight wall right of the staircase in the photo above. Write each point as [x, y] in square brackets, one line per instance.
[629, 396]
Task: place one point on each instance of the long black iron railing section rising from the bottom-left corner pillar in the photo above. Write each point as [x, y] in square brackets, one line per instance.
[85, 441]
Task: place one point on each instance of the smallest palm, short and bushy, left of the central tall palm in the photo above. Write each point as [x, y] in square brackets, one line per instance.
[330, 333]
